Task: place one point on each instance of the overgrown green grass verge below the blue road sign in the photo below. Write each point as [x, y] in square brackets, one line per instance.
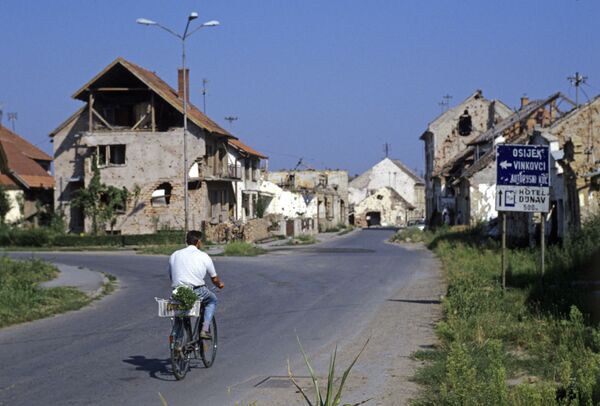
[530, 345]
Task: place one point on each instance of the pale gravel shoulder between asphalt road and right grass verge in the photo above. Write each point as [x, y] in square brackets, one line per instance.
[404, 324]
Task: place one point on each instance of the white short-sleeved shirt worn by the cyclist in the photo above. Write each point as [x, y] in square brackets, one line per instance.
[188, 266]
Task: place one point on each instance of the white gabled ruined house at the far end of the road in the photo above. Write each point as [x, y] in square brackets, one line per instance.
[388, 194]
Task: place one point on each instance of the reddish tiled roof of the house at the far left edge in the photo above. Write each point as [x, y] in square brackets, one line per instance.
[20, 162]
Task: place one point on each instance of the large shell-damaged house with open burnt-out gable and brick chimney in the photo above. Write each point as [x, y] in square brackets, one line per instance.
[131, 128]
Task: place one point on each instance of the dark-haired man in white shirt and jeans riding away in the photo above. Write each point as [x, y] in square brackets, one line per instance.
[188, 267]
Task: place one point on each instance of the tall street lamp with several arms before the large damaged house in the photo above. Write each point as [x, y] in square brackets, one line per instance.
[186, 35]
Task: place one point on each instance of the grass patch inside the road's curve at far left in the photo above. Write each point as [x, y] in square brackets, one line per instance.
[21, 297]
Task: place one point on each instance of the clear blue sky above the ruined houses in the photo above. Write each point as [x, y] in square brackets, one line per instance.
[327, 81]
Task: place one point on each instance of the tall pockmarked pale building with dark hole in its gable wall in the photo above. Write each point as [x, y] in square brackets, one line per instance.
[448, 135]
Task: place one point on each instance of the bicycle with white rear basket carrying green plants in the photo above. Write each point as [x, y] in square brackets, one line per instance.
[184, 340]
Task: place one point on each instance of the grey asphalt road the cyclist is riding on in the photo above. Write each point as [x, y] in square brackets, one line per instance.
[115, 351]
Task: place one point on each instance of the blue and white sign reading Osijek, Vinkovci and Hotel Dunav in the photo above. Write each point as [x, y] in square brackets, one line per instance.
[522, 178]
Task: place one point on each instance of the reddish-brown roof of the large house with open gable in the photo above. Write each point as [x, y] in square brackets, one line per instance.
[162, 89]
